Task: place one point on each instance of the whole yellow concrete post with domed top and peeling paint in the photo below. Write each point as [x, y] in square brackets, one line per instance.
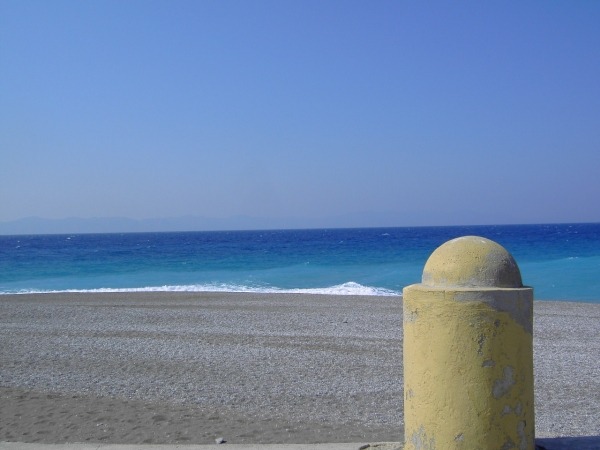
[468, 351]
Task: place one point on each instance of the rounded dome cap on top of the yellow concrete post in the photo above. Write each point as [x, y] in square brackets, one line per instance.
[471, 262]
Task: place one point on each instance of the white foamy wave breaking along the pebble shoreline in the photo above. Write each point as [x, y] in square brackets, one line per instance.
[349, 288]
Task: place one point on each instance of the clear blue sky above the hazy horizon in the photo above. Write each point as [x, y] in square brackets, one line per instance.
[430, 113]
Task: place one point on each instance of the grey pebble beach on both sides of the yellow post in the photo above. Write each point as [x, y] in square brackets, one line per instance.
[187, 368]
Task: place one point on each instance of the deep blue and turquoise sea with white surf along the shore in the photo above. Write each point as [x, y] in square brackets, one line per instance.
[561, 262]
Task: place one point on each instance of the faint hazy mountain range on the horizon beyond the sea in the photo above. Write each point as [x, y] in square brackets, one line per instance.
[38, 225]
